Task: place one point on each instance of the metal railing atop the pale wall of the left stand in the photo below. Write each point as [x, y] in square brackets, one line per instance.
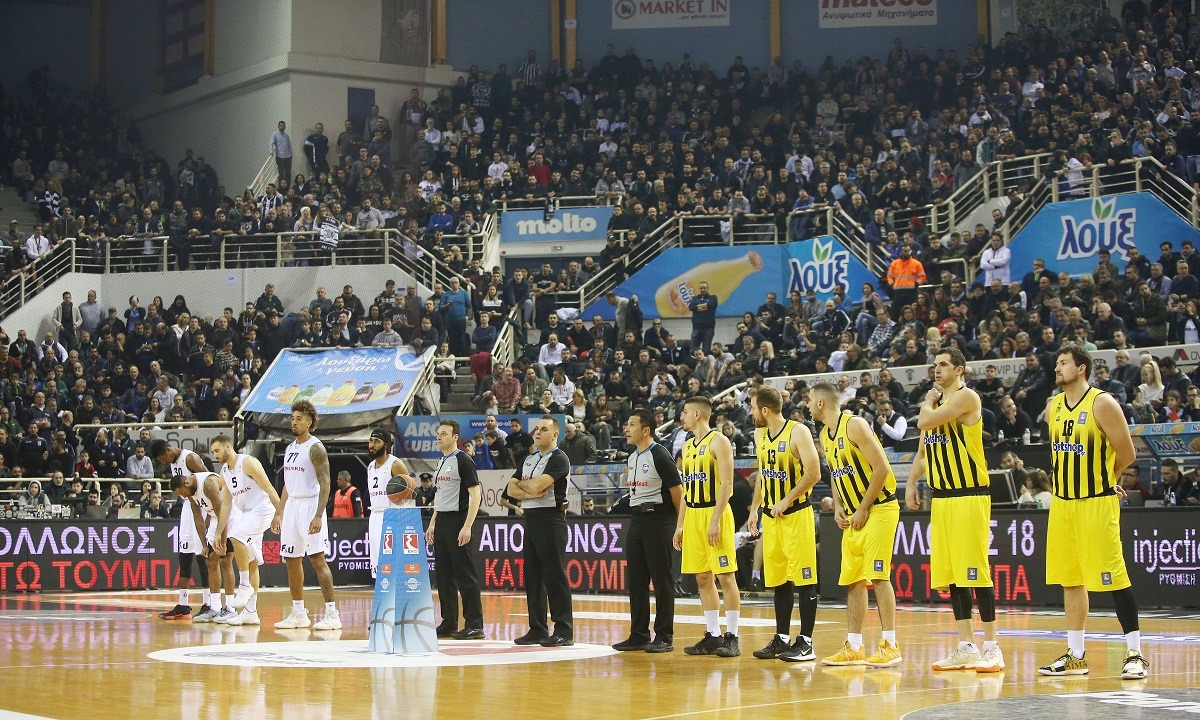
[208, 253]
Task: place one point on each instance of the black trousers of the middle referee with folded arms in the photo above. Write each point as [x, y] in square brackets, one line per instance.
[545, 571]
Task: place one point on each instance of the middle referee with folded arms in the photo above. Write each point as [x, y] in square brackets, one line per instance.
[541, 487]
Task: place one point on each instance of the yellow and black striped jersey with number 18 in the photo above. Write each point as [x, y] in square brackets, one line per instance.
[1083, 458]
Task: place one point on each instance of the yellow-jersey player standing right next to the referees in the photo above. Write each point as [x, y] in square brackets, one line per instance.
[705, 531]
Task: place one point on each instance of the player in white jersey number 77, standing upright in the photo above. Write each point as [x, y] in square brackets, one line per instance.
[302, 525]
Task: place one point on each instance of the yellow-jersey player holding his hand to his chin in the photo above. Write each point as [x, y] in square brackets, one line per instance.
[951, 457]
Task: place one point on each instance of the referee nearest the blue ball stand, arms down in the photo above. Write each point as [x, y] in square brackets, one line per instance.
[455, 506]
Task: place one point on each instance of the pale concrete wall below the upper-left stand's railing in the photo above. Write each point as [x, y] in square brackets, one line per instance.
[208, 292]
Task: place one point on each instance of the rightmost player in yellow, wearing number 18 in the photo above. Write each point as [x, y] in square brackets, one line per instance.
[1090, 447]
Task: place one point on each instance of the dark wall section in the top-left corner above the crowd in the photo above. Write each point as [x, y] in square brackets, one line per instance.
[55, 34]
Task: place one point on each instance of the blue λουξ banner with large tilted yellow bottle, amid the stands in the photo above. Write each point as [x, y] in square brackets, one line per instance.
[740, 277]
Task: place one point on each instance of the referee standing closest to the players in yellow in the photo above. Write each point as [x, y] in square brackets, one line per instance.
[656, 493]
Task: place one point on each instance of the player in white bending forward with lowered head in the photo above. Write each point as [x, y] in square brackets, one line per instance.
[205, 490]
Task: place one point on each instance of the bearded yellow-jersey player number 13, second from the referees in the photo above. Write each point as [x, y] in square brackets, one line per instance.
[788, 470]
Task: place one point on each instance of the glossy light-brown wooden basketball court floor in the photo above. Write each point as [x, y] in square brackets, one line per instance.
[87, 657]
